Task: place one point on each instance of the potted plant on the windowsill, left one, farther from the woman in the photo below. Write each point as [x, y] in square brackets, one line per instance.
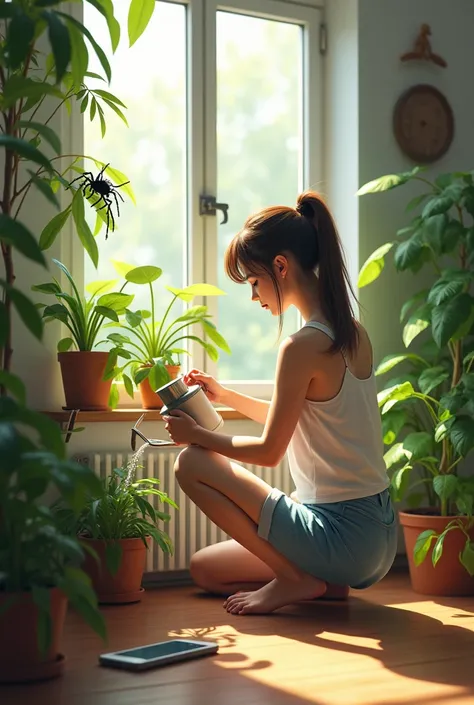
[87, 373]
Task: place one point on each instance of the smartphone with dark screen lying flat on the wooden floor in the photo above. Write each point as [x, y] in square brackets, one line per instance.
[160, 654]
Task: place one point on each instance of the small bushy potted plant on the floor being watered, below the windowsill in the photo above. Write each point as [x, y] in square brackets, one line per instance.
[118, 523]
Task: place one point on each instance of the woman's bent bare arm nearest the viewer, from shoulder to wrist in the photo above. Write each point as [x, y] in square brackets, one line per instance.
[295, 369]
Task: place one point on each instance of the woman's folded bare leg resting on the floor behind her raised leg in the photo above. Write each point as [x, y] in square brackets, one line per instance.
[227, 567]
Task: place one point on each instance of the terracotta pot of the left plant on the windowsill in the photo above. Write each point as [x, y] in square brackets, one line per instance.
[82, 374]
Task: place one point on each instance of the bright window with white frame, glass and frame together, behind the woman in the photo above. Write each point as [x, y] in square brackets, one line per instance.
[222, 102]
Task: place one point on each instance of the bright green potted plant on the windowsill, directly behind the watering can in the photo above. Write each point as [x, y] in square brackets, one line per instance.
[156, 343]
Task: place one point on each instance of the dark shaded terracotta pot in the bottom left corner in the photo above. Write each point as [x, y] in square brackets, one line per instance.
[20, 659]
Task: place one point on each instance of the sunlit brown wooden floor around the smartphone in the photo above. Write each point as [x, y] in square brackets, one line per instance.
[384, 646]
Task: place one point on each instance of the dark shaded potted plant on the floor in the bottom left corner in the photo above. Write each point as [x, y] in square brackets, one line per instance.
[39, 570]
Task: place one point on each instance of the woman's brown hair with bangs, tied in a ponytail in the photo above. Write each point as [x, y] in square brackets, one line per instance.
[307, 232]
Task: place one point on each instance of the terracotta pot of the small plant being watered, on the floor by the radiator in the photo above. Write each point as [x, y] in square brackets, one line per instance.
[125, 585]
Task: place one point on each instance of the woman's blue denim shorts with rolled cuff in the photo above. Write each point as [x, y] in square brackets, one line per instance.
[350, 543]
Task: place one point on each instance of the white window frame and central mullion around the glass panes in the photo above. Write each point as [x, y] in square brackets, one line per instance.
[200, 260]
